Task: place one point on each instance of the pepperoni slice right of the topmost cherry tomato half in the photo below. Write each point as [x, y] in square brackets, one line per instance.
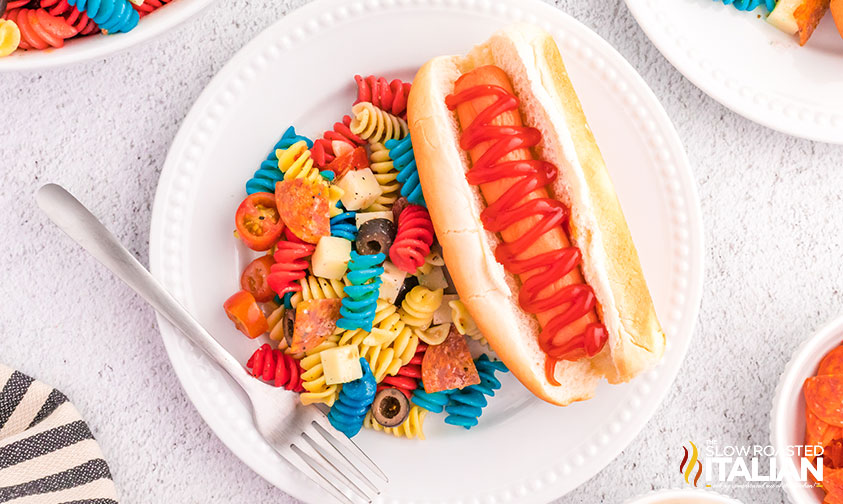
[304, 208]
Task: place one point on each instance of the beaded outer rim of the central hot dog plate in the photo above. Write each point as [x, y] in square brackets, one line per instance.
[691, 293]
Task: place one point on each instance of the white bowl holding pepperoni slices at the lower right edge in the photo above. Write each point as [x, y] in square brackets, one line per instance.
[787, 418]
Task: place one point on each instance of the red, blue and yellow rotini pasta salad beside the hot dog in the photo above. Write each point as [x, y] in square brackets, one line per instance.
[350, 289]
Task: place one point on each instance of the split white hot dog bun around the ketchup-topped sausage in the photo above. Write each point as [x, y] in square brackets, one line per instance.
[532, 61]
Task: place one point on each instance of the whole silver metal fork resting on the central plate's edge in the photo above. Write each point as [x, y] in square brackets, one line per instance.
[301, 435]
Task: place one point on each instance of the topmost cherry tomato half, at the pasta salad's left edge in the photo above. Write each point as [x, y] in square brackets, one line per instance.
[258, 223]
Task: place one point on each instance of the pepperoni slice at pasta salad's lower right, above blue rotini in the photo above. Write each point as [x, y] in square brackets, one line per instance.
[448, 365]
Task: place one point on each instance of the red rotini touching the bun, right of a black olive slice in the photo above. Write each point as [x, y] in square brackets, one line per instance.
[413, 240]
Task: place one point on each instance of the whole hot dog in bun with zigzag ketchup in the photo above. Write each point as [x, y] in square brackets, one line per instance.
[530, 226]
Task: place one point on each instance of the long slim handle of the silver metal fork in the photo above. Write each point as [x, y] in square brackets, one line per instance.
[80, 224]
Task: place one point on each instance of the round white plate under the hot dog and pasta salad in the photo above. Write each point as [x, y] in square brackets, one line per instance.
[299, 71]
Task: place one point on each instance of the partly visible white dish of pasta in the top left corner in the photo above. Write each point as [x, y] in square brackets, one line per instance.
[98, 45]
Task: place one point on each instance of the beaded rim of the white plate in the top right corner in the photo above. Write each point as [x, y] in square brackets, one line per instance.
[796, 123]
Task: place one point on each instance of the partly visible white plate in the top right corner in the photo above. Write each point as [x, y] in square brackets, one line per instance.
[750, 66]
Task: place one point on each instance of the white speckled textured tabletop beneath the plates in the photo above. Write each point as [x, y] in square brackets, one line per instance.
[103, 128]
